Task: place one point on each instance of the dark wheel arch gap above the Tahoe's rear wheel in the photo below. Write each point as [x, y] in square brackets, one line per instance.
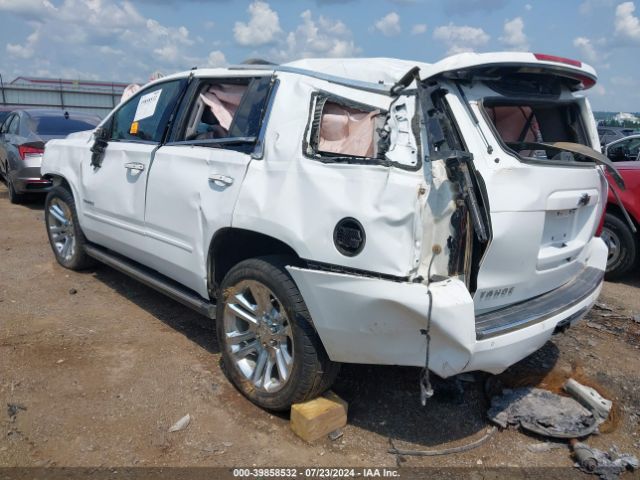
[230, 246]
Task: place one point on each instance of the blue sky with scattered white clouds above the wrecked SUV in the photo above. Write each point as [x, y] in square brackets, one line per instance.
[129, 40]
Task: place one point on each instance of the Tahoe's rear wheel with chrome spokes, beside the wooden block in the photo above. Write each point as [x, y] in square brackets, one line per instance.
[270, 350]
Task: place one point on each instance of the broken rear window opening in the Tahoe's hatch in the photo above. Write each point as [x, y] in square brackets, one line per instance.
[519, 124]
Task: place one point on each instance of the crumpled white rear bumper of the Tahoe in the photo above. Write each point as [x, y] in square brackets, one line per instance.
[376, 321]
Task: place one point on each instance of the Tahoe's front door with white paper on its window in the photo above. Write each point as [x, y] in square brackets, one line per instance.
[113, 193]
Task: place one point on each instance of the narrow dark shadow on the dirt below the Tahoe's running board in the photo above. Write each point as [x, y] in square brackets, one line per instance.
[192, 325]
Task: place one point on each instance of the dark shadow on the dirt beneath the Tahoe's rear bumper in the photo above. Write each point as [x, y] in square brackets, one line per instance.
[386, 400]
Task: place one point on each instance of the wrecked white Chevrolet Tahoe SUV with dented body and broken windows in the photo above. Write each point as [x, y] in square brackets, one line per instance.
[380, 211]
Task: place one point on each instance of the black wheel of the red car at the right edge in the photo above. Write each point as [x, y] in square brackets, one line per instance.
[622, 244]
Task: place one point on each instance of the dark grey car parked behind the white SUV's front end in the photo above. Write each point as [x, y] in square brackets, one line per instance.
[23, 135]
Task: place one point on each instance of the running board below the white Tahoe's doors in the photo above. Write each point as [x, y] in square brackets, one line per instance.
[154, 280]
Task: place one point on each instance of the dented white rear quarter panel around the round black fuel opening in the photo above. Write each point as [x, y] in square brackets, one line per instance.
[299, 199]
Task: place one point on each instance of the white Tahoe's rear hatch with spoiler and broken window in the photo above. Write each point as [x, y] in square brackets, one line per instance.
[544, 203]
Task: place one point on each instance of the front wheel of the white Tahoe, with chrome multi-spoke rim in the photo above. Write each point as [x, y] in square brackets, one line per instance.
[65, 235]
